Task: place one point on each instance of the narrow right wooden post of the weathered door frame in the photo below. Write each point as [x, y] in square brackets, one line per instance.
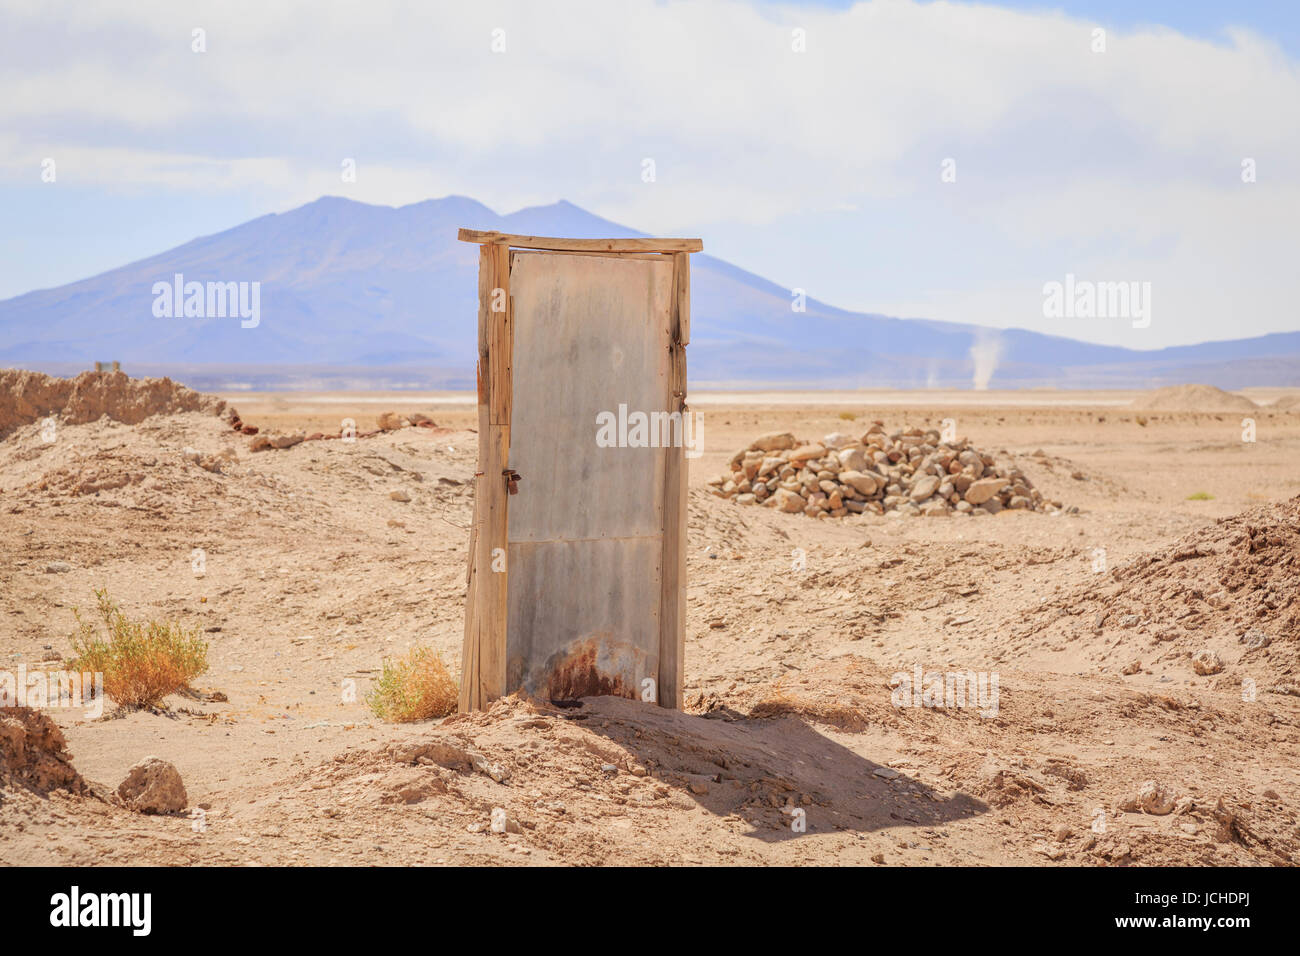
[673, 609]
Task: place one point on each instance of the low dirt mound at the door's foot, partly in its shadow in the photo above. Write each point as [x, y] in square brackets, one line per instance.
[608, 782]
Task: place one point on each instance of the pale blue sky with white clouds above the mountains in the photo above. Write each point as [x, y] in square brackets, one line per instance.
[942, 161]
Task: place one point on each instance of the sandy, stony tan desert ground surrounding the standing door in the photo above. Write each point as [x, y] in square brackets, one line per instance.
[313, 576]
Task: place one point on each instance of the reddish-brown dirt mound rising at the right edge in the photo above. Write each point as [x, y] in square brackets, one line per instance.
[1220, 602]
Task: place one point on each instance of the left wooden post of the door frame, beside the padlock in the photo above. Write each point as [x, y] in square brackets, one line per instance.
[483, 669]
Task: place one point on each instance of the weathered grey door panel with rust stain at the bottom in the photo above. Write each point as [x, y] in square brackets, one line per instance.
[586, 529]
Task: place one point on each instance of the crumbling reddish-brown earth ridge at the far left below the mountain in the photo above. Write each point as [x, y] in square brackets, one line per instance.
[27, 397]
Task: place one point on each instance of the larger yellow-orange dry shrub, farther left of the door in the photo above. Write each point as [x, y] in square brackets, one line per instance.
[142, 663]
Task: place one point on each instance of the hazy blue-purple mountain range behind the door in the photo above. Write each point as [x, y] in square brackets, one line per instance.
[363, 296]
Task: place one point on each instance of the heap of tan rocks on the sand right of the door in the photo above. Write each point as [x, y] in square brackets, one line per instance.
[908, 473]
